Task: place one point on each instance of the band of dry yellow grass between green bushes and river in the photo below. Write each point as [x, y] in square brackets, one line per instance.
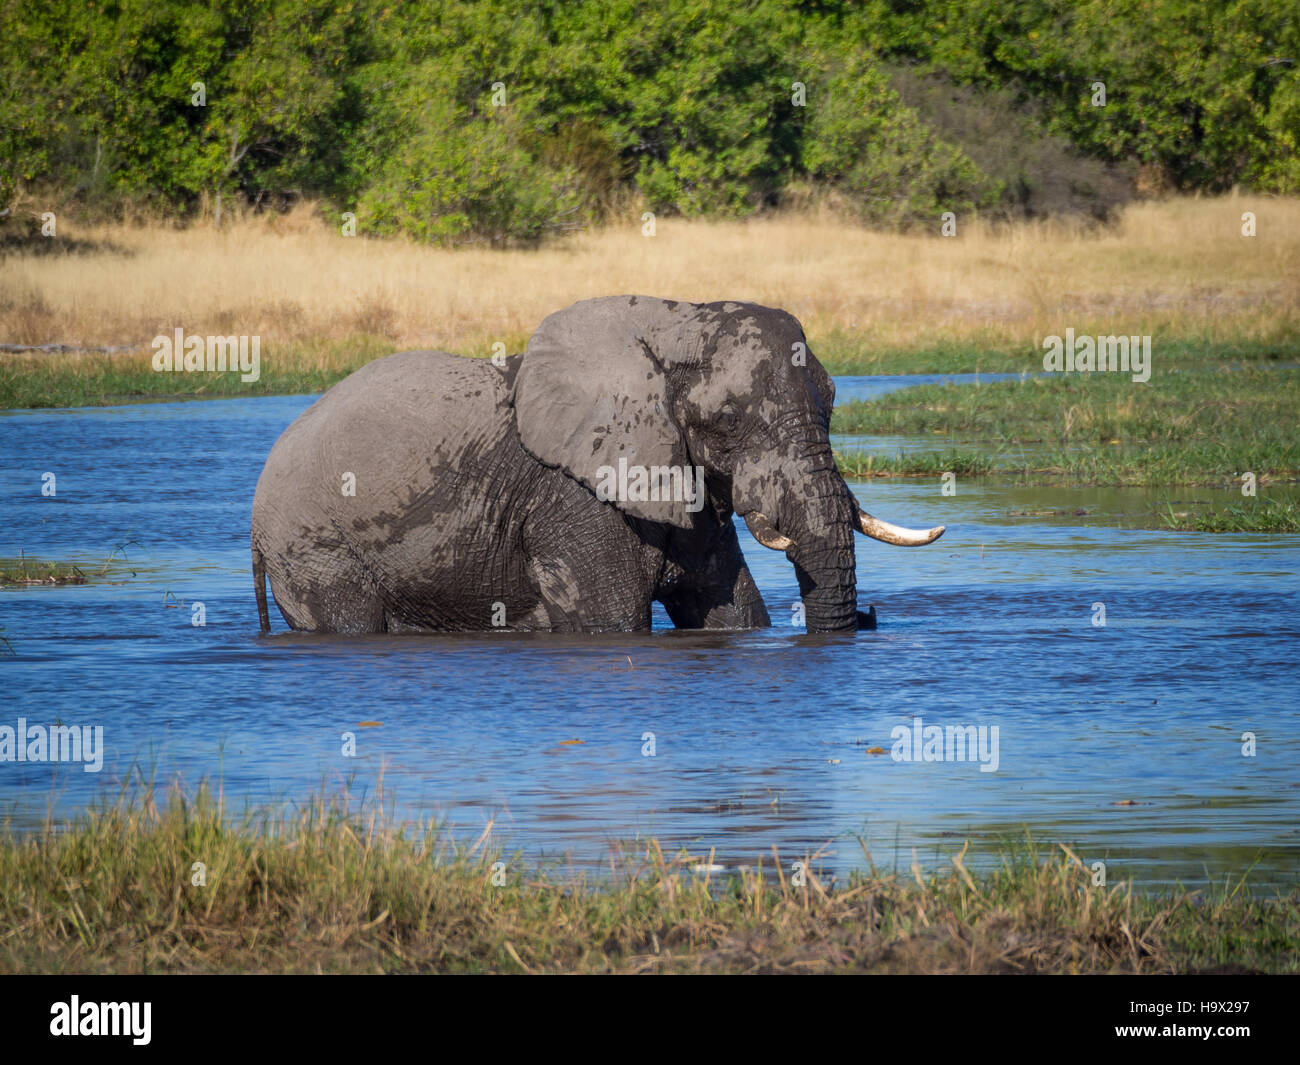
[1168, 269]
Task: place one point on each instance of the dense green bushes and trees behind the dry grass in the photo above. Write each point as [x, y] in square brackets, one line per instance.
[454, 120]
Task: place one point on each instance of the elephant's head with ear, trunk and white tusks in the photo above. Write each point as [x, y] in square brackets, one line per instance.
[730, 388]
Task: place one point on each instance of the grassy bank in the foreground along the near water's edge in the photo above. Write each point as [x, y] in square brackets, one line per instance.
[320, 891]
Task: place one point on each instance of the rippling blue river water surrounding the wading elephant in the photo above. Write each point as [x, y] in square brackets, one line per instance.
[760, 739]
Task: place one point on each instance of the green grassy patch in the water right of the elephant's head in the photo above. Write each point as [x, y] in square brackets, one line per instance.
[1206, 427]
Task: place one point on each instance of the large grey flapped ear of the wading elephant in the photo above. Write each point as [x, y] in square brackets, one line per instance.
[592, 392]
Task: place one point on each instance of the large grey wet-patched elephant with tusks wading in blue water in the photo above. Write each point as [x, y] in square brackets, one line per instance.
[569, 488]
